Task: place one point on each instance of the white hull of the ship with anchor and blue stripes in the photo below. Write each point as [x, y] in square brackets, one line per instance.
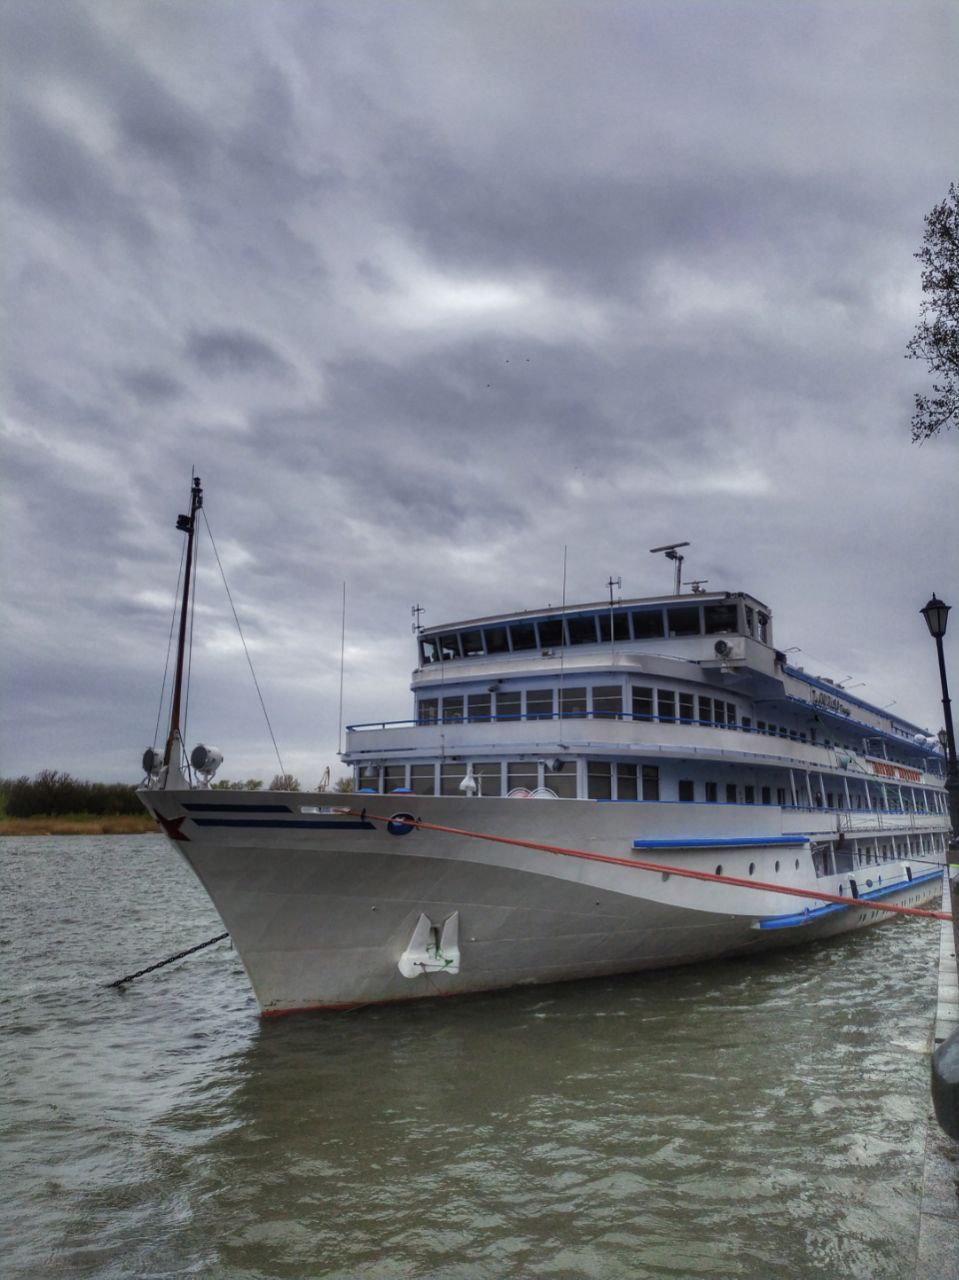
[323, 902]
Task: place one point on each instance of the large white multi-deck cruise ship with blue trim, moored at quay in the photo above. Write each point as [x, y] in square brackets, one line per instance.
[581, 792]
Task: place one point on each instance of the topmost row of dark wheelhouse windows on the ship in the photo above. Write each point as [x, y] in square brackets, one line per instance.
[597, 628]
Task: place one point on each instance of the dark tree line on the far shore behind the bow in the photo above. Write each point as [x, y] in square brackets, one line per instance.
[57, 796]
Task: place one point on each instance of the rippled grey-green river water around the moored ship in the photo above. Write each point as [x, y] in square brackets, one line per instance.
[750, 1119]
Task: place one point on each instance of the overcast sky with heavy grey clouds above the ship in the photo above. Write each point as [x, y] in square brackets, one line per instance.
[428, 291]
